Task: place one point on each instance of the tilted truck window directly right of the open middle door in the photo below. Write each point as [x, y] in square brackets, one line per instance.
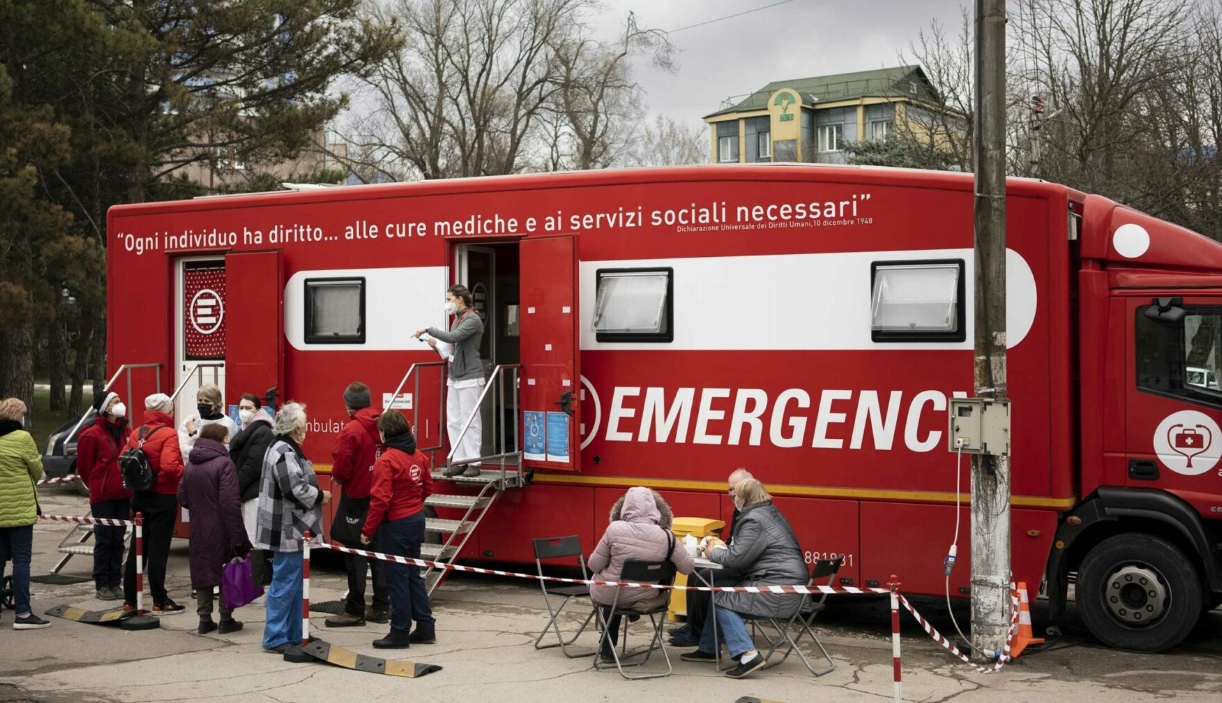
[635, 306]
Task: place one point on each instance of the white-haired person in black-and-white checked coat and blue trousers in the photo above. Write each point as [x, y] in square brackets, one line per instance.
[290, 506]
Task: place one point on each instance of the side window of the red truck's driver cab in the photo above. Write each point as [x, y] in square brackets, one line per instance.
[1181, 360]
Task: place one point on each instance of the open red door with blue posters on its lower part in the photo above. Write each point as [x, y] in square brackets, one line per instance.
[552, 370]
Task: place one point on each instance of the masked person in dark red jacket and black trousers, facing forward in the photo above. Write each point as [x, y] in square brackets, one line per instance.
[98, 451]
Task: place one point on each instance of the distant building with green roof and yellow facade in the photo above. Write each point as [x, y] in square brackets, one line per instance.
[811, 119]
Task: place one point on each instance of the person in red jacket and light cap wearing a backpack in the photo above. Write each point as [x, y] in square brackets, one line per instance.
[159, 506]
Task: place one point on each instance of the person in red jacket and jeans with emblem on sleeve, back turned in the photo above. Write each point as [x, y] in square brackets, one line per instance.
[397, 518]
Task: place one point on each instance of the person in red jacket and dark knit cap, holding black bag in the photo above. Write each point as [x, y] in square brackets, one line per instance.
[353, 466]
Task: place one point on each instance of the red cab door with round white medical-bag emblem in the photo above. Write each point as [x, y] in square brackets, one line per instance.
[1174, 441]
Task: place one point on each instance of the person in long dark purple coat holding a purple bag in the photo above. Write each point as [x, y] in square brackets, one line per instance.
[210, 492]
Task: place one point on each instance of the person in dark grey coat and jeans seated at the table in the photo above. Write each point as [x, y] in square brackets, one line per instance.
[766, 552]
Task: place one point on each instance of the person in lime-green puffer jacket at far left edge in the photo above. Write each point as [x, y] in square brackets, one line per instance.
[20, 468]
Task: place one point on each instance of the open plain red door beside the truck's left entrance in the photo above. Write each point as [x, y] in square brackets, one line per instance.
[255, 338]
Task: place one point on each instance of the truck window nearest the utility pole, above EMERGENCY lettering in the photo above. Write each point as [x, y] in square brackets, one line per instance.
[917, 301]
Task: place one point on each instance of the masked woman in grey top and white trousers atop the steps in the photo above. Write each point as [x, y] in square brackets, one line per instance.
[466, 381]
